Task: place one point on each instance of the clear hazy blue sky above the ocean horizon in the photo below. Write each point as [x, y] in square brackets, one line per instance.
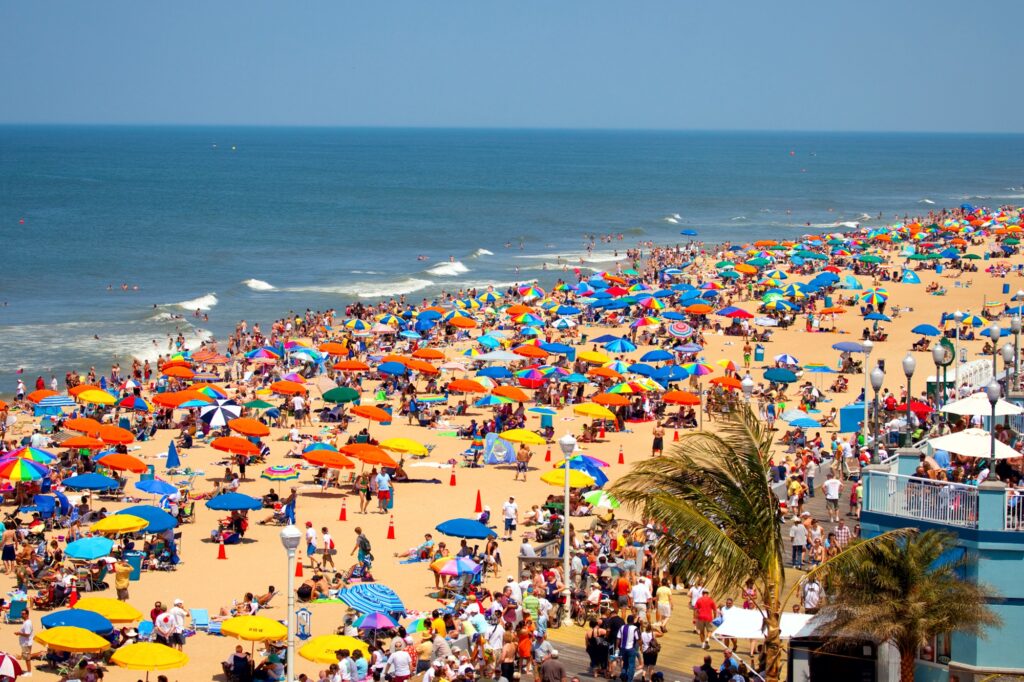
[872, 65]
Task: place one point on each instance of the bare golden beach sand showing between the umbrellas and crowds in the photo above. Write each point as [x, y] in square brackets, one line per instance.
[203, 581]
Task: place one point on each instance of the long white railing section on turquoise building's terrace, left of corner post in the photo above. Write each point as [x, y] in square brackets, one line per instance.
[910, 497]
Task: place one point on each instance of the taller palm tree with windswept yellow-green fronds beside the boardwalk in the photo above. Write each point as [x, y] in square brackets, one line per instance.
[713, 493]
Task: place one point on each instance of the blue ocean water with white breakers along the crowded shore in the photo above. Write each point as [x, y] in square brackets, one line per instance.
[253, 223]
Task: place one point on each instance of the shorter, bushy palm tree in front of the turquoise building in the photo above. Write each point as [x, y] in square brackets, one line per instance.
[902, 591]
